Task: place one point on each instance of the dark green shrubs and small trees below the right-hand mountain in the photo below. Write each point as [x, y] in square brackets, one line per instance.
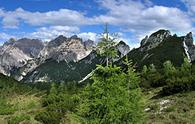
[173, 80]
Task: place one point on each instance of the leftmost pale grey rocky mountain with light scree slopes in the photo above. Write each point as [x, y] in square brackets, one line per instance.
[16, 53]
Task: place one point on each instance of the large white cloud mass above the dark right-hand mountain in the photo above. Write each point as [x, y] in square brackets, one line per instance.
[143, 17]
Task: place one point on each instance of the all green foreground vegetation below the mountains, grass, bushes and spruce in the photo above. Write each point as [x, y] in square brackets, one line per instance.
[112, 96]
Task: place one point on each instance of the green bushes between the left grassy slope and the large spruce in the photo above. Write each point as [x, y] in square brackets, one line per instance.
[57, 103]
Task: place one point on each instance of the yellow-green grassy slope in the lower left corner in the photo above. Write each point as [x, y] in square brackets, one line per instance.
[17, 101]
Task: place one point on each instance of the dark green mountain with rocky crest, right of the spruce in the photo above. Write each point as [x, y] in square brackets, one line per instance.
[160, 47]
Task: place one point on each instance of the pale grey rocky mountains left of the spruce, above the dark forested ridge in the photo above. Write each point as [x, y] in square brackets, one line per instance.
[18, 57]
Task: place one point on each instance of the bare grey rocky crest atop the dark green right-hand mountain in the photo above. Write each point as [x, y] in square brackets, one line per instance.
[154, 40]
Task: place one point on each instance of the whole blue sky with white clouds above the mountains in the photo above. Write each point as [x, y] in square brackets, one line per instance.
[131, 19]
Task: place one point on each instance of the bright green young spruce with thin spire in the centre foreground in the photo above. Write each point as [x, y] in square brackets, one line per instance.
[113, 97]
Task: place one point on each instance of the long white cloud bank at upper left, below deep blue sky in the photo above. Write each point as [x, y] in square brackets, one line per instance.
[64, 17]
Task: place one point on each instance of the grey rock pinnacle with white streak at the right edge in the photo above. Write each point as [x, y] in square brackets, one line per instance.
[189, 46]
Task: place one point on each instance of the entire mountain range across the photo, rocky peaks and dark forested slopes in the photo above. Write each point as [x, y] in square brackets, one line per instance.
[72, 59]
